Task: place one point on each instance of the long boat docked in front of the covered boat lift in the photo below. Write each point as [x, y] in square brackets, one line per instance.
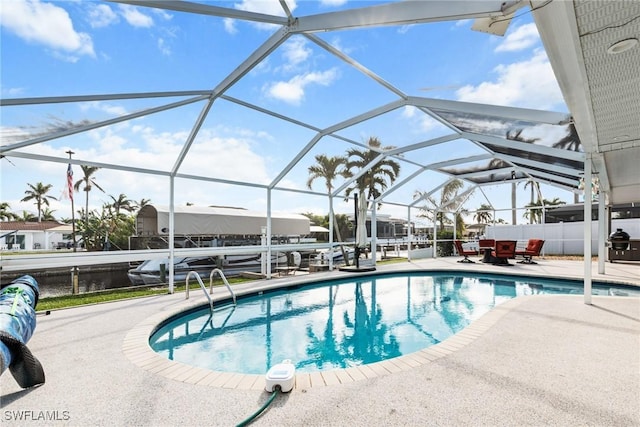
[156, 271]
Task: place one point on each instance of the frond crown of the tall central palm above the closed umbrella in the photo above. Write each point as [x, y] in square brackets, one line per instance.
[374, 181]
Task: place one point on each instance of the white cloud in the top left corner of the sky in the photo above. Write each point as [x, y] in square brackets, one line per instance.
[46, 24]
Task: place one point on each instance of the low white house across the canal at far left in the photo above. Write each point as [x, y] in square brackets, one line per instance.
[23, 235]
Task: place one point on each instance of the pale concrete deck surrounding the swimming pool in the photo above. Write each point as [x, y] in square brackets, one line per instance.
[531, 361]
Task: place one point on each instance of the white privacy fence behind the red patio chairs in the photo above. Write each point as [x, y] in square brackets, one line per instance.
[564, 238]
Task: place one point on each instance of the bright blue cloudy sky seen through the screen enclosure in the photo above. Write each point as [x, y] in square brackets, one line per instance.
[63, 48]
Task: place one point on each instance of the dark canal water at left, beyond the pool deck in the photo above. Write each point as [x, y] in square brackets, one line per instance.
[57, 282]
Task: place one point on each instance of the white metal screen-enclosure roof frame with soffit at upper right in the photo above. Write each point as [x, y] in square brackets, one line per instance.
[499, 144]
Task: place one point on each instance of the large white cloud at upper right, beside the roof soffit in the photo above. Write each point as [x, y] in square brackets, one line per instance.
[530, 84]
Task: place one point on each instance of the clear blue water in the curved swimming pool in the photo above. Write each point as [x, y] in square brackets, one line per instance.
[343, 323]
